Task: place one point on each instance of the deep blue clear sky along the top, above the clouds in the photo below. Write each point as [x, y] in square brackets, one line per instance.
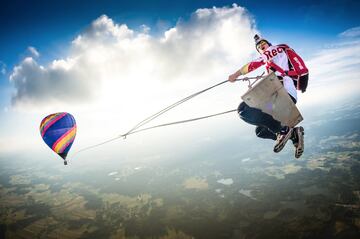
[47, 25]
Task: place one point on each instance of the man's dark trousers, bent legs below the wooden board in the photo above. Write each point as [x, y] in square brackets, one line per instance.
[266, 126]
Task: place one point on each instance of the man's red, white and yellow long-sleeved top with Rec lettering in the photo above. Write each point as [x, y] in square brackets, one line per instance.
[276, 59]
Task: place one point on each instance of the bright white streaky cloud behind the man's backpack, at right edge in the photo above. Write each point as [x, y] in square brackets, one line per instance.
[334, 73]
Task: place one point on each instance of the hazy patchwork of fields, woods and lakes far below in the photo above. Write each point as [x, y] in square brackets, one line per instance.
[226, 197]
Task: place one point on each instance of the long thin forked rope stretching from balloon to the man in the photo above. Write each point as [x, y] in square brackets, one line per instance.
[136, 129]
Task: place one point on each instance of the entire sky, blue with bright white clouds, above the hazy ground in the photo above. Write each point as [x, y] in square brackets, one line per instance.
[112, 56]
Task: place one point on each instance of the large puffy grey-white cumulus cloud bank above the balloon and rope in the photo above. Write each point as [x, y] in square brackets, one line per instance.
[108, 56]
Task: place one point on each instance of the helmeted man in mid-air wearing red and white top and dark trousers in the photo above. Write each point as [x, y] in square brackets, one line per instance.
[276, 59]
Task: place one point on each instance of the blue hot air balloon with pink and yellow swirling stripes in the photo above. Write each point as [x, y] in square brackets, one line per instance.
[58, 131]
